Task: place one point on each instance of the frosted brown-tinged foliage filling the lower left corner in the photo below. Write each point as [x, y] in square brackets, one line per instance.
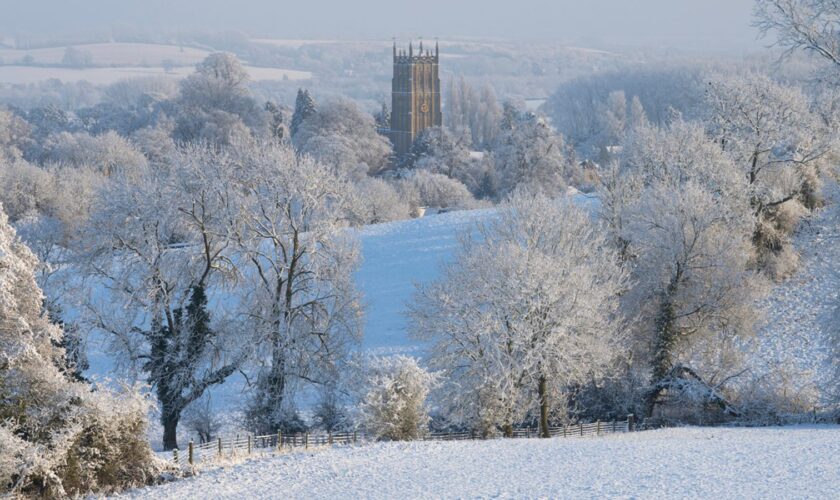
[58, 437]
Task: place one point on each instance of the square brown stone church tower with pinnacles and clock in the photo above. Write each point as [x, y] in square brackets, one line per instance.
[415, 95]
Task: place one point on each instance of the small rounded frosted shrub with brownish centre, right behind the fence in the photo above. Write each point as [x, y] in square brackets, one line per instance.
[394, 407]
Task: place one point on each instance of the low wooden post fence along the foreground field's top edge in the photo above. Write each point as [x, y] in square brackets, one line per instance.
[249, 444]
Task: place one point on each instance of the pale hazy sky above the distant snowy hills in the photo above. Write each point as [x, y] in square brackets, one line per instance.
[696, 24]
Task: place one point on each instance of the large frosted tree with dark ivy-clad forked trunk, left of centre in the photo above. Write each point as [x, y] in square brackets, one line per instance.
[153, 249]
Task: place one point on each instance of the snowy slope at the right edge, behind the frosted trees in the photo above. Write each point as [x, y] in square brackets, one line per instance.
[799, 309]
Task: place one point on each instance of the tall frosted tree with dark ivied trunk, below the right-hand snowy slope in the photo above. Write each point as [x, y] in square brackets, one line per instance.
[678, 210]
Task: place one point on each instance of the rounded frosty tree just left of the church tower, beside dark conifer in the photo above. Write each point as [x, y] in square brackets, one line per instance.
[342, 136]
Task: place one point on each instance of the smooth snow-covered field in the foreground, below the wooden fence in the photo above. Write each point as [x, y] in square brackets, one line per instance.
[793, 462]
